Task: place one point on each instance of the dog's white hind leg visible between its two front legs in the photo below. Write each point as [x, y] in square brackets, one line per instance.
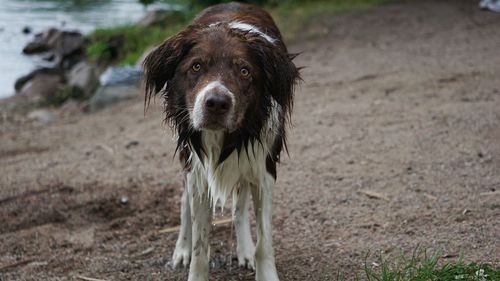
[245, 248]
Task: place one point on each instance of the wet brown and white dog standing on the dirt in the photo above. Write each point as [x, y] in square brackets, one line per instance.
[228, 83]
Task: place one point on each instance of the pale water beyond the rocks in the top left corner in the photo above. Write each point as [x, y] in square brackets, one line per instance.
[38, 15]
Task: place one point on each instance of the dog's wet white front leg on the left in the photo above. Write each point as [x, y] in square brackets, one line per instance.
[201, 216]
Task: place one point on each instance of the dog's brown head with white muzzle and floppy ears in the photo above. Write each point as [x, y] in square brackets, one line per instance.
[218, 77]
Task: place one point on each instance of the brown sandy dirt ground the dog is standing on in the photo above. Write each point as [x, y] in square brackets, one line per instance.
[402, 101]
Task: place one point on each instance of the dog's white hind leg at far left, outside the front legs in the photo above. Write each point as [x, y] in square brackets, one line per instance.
[182, 252]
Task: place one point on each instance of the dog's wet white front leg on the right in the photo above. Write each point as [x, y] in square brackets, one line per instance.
[265, 268]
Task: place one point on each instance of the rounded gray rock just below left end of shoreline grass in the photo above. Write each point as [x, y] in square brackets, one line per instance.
[84, 76]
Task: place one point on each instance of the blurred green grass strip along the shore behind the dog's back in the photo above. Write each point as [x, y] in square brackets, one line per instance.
[125, 44]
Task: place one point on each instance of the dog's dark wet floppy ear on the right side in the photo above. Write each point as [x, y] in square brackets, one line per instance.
[274, 61]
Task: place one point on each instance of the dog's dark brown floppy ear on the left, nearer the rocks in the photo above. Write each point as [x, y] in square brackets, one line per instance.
[160, 65]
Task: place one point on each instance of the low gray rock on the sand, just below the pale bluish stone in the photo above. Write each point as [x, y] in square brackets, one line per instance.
[112, 94]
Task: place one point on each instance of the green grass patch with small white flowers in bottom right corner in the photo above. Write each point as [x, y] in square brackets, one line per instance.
[422, 266]
